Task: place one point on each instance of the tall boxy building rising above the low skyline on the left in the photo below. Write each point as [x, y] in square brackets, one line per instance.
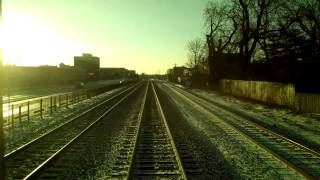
[89, 64]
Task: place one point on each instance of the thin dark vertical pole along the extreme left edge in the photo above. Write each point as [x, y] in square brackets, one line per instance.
[2, 169]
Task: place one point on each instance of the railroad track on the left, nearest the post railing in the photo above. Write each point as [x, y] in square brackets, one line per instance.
[26, 161]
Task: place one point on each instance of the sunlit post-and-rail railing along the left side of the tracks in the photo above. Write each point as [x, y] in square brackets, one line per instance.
[16, 112]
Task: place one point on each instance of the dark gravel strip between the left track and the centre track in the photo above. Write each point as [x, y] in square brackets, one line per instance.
[95, 158]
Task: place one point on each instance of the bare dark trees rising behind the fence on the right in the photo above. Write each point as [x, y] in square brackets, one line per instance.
[264, 31]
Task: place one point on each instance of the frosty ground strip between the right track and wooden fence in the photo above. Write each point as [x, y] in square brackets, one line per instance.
[304, 128]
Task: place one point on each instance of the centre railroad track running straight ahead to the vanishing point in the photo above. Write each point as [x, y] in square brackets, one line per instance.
[148, 150]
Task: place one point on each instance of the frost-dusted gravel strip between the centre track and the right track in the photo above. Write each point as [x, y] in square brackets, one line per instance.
[246, 160]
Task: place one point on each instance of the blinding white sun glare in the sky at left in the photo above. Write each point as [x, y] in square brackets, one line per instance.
[27, 41]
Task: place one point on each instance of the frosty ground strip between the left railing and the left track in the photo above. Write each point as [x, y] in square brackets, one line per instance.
[26, 131]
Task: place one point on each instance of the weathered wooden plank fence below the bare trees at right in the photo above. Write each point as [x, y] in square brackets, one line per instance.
[272, 93]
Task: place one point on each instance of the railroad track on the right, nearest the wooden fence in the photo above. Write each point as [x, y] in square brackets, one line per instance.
[301, 159]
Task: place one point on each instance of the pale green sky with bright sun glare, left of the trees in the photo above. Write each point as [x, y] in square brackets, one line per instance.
[148, 36]
